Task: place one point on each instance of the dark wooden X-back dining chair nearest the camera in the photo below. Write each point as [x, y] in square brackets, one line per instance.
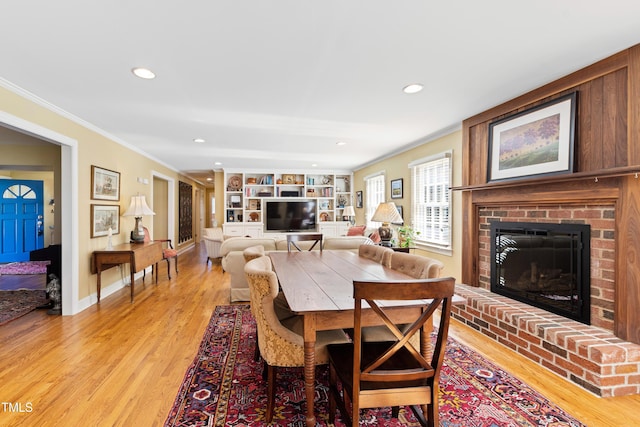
[391, 373]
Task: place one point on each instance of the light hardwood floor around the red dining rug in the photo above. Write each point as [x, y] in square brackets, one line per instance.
[121, 364]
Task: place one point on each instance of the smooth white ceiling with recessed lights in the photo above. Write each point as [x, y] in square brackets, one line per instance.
[276, 84]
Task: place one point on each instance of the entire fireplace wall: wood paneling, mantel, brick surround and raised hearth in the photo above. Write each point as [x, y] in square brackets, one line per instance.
[601, 188]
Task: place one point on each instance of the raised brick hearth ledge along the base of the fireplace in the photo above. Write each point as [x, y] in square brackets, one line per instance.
[589, 356]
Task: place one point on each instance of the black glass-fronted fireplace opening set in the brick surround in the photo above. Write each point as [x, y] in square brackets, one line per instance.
[544, 265]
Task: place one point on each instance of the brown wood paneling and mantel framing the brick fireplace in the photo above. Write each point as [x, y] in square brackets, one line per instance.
[606, 151]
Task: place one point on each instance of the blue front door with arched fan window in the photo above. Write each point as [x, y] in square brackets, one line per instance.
[21, 219]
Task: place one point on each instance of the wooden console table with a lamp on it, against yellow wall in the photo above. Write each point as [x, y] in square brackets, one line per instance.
[138, 255]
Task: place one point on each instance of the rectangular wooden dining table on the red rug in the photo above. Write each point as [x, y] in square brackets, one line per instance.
[319, 286]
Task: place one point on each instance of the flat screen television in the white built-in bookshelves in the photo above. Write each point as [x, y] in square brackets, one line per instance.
[290, 215]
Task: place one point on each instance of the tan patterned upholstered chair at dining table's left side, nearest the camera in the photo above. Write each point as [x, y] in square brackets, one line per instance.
[280, 345]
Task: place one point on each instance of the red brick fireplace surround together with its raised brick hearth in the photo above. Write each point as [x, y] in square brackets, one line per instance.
[588, 355]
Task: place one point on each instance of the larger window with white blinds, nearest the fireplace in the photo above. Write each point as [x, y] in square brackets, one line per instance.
[431, 201]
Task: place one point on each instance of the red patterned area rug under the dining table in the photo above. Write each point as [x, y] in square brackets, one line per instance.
[224, 387]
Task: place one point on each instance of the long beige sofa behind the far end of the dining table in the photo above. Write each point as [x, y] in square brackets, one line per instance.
[233, 261]
